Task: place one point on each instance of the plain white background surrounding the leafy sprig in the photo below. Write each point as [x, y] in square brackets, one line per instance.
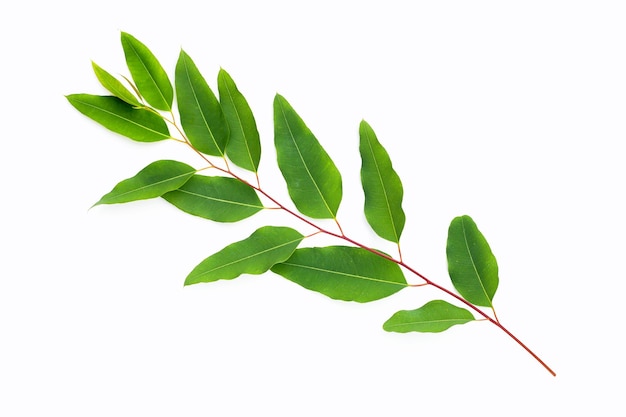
[511, 112]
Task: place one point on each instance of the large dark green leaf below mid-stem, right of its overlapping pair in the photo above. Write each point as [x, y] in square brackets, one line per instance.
[343, 273]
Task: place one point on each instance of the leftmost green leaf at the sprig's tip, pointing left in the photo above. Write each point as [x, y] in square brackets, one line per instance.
[120, 117]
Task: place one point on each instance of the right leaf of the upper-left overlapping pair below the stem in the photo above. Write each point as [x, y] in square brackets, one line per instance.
[222, 199]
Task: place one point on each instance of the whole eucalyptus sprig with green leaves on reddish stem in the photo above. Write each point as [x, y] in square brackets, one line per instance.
[222, 130]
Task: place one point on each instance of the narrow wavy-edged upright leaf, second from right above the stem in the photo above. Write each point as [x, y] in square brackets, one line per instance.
[381, 185]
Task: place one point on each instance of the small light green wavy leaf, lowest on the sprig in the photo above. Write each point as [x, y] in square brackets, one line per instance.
[434, 316]
